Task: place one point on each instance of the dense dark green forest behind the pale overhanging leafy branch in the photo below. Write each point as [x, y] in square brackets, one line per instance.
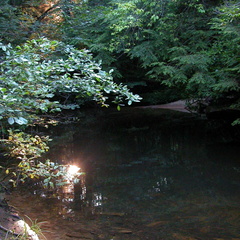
[164, 50]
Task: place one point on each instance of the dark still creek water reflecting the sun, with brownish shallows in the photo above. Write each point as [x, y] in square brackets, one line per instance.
[150, 174]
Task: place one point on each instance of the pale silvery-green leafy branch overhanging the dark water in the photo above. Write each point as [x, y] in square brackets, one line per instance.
[47, 76]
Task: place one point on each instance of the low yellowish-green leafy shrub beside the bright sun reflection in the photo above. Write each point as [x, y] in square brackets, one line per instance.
[28, 150]
